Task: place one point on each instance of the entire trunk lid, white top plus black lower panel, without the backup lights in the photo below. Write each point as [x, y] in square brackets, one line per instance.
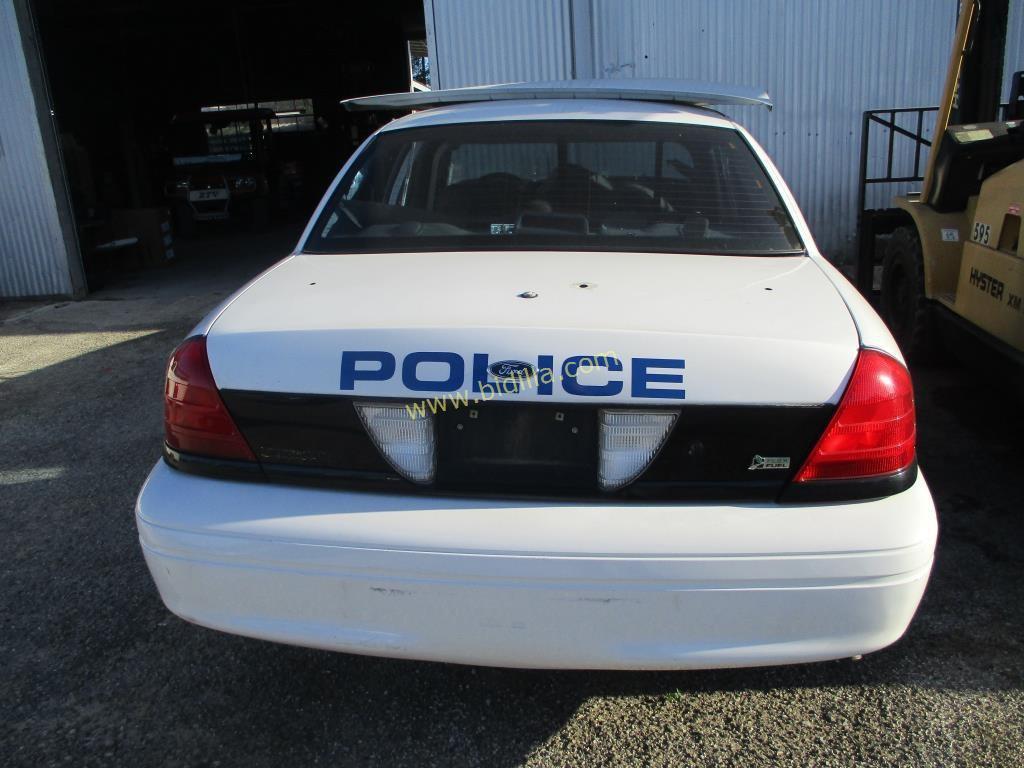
[749, 354]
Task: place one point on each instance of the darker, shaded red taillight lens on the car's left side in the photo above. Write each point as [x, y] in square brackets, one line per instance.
[195, 418]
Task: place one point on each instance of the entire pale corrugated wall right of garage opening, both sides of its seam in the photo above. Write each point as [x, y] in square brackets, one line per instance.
[824, 62]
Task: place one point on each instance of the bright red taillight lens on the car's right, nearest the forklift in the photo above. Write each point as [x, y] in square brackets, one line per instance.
[873, 432]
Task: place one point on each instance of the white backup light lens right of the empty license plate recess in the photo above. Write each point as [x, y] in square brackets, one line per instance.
[629, 441]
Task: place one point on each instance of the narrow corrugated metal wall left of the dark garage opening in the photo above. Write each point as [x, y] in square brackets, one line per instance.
[33, 255]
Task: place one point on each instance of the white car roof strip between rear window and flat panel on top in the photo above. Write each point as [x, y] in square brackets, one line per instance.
[581, 109]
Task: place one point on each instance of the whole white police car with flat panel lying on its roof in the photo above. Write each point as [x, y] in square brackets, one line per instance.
[556, 377]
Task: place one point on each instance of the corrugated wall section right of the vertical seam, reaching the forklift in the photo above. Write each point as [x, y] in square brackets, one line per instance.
[824, 63]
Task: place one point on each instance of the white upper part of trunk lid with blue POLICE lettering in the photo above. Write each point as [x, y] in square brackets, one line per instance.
[741, 330]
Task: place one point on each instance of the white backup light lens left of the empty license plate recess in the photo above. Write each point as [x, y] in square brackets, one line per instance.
[406, 442]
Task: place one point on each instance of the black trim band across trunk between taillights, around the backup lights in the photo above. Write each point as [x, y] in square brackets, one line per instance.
[521, 450]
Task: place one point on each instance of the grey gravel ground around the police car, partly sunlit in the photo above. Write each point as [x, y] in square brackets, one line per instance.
[97, 672]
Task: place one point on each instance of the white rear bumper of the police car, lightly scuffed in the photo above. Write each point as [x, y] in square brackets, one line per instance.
[541, 585]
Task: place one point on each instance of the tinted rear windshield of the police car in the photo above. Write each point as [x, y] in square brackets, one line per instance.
[558, 185]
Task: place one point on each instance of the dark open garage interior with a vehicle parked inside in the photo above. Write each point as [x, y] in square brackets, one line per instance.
[189, 121]
